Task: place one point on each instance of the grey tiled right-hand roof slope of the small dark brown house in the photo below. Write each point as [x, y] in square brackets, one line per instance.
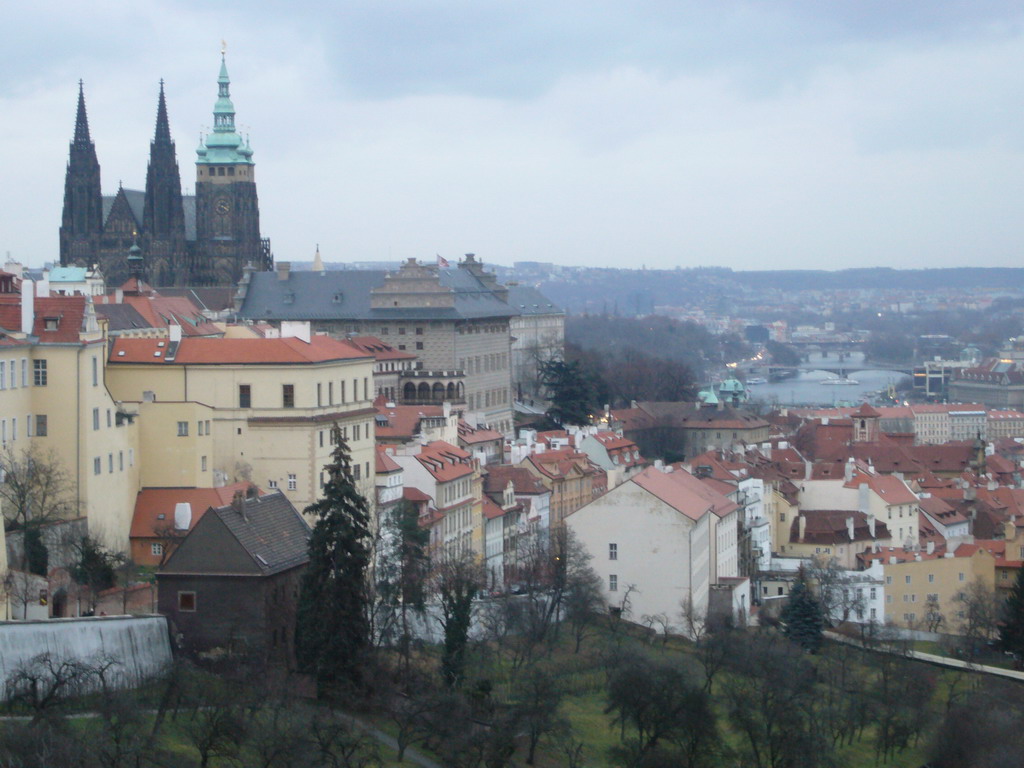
[271, 531]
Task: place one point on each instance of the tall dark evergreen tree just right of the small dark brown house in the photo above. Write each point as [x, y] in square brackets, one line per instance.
[332, 634]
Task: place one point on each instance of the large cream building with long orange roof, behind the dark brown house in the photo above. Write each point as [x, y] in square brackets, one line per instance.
[221, 410]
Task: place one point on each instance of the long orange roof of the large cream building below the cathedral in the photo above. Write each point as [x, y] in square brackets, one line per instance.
[221, 352]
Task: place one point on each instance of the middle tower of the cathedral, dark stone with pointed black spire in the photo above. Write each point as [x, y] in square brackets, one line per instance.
[163, 212]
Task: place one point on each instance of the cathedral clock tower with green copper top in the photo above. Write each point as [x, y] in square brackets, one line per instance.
[227, 206]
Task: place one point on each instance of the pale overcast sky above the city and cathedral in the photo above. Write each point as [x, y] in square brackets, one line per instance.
[782, 135]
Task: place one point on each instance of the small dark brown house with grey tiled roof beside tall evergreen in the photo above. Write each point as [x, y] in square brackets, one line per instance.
[232, 586]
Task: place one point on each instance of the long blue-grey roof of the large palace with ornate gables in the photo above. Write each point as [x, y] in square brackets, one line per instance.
[313, 297]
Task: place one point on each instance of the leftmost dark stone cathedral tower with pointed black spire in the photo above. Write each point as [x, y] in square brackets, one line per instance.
[82, 222]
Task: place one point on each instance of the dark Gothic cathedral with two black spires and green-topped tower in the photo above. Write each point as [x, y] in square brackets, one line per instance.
[201, 240]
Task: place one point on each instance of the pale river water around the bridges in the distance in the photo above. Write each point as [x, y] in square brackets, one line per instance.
[806, 389]
